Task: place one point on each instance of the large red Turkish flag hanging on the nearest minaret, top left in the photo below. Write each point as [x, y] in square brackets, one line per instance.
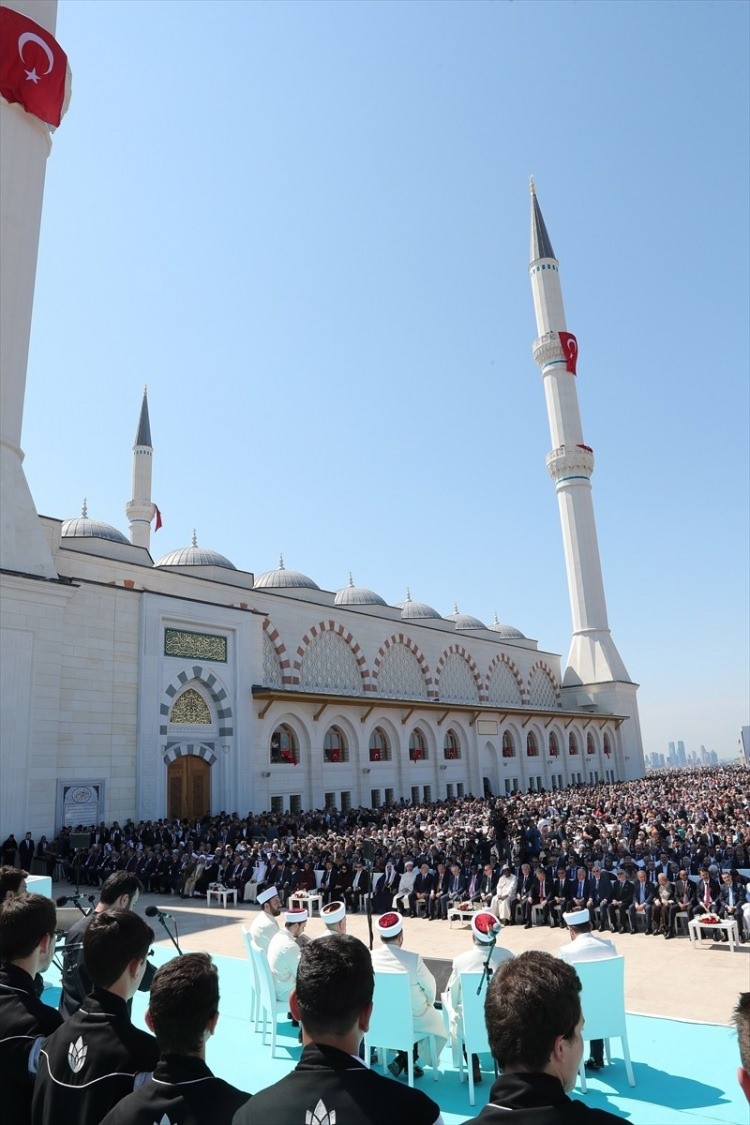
[33, 67]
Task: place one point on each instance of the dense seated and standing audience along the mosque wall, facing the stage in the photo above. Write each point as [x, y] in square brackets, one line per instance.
[684, 834]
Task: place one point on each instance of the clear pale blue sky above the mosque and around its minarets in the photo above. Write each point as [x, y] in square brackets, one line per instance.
[306, 228]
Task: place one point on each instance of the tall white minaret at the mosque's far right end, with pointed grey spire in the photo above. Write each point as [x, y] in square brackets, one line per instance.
[593, 658]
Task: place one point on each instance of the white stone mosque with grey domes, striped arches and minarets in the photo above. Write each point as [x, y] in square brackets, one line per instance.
[146, 688]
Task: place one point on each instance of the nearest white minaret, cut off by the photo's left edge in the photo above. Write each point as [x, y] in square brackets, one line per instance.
[25, 145]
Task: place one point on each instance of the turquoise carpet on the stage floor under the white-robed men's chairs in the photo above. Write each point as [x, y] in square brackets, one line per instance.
[685, 1074]
